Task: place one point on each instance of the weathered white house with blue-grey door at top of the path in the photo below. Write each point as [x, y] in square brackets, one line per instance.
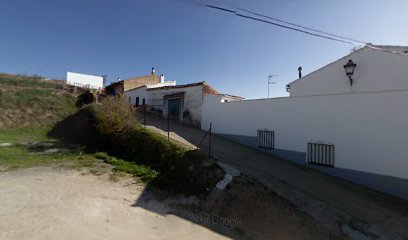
[179, 102]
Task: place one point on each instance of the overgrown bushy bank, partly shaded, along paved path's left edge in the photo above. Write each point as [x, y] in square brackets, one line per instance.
[139, 151]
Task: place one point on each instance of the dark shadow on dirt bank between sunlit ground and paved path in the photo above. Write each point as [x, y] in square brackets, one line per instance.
[244, 210]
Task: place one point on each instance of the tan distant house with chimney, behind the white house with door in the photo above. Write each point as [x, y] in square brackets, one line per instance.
[122, 86]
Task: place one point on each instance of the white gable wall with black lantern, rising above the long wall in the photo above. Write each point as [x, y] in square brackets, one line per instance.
[376, 71]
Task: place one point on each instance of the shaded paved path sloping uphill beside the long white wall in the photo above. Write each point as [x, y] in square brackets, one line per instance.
[341, 206]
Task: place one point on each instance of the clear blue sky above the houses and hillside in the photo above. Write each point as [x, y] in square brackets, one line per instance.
[187, 43]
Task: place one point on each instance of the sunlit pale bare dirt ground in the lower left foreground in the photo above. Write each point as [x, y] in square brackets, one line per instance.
[49, 203]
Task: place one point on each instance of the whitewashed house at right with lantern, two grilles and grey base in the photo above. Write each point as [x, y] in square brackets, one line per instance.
[352, 126]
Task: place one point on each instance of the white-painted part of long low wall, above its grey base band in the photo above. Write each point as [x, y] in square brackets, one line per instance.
[369, 130]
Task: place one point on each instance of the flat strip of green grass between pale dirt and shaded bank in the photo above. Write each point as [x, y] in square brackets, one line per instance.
[20, 155]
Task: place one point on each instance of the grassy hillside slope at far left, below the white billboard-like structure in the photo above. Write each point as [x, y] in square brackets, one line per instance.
[30, 101]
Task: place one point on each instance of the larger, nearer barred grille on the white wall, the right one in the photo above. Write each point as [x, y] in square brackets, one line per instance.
[320, 154]
